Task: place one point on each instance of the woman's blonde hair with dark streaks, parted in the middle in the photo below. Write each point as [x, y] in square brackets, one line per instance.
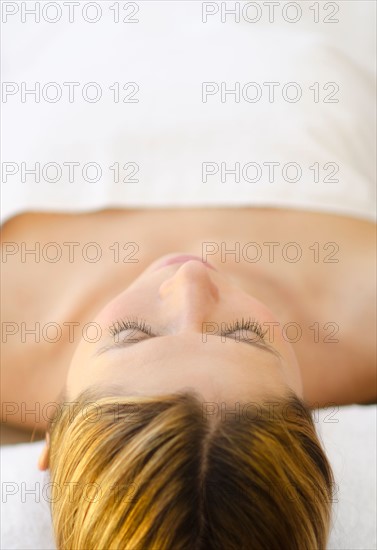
[160, 473]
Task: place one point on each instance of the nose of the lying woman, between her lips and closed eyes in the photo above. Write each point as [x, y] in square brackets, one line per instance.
[189, 295]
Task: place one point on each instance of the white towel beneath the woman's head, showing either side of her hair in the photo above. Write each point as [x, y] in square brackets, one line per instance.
[349, 435]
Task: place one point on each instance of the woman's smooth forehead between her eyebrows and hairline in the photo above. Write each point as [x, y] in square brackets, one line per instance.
[217, 369]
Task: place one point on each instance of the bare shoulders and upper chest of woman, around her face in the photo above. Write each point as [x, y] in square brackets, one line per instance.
[336, 356]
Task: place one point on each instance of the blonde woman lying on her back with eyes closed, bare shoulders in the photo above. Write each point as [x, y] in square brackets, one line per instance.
[183, 415]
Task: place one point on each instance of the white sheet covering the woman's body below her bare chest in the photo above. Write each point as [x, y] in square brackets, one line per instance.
[170, 133]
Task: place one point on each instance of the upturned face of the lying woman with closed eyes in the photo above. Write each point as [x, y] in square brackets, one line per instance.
[188, 305]
